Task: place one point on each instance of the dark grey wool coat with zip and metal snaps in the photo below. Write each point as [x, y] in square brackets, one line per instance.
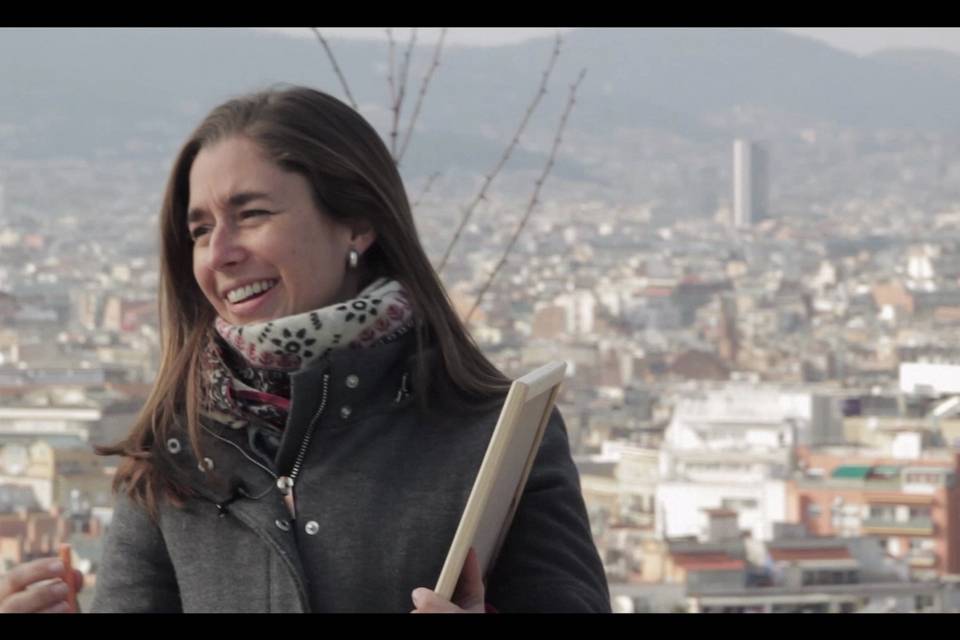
[379, 493]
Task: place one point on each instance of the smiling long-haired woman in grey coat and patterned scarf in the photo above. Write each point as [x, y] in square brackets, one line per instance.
[320, 411]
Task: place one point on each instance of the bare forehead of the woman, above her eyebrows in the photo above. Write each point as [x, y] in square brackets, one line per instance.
[231, 166]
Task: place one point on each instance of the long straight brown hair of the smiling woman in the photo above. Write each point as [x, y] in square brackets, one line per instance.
[353, 178]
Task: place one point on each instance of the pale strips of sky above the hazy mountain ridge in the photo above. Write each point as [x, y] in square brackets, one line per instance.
[859, 40]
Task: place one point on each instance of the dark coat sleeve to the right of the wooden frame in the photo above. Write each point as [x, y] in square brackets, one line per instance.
[549, 562]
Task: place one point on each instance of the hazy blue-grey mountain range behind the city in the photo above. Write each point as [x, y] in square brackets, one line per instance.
[76, 91]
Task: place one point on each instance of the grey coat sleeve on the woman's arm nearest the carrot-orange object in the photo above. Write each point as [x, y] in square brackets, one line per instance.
[135, 574]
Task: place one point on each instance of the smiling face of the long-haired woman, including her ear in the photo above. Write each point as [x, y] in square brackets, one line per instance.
[262, 249]
